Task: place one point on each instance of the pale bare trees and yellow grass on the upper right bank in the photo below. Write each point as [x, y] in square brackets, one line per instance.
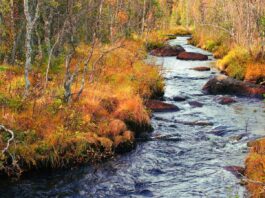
[233, 31]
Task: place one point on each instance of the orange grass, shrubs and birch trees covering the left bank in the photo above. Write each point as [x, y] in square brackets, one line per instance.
[73, 80]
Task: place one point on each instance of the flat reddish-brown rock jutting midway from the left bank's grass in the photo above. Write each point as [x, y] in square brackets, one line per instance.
[158, 106]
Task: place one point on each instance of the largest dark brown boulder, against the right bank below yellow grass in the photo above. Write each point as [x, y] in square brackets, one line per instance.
[226, 85]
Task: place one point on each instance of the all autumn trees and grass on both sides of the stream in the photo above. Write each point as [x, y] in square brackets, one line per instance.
[73, 80]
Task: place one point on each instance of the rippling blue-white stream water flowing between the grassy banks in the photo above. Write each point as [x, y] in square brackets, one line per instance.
[183, 159]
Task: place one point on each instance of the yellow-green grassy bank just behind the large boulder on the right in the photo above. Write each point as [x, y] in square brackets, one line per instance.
[236, 61]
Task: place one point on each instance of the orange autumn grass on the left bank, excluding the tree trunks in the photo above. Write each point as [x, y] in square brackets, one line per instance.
[105, 120]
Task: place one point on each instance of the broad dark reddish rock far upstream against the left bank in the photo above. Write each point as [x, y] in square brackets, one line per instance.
[168, 51]
